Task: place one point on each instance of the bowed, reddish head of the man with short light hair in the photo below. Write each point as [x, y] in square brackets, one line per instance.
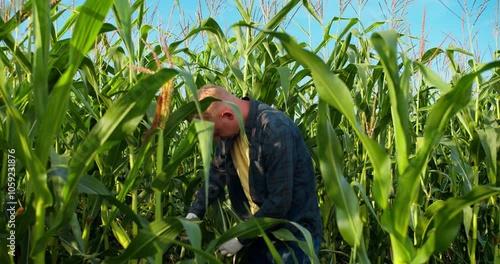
[222, 114]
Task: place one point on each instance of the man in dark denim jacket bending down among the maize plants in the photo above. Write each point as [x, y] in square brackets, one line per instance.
[268, 171]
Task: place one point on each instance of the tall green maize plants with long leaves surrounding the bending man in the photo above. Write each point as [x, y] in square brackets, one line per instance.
[100, 161]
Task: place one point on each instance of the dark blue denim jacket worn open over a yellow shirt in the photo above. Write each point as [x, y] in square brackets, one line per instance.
[281, 174]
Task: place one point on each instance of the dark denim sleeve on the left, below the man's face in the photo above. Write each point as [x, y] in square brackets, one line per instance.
[218, 179]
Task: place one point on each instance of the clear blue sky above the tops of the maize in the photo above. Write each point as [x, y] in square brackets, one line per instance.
[443, 20]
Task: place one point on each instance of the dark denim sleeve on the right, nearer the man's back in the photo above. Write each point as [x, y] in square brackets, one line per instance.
[278, 159]
